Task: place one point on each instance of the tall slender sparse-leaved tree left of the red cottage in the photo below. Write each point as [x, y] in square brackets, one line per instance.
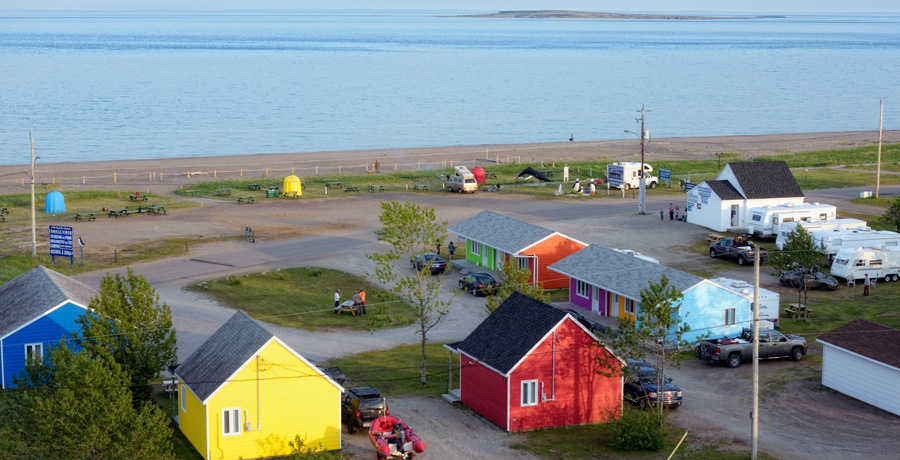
[409, 230]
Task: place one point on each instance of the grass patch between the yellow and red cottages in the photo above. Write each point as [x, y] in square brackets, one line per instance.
[398, 371]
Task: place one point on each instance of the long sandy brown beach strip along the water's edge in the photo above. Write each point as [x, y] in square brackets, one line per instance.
[358, 161]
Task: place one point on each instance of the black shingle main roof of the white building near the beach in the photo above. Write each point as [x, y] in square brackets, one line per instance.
[765, 179]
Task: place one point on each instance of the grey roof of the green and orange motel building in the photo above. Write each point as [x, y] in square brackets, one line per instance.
[501, 232]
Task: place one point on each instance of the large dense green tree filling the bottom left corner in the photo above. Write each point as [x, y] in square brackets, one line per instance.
[72, 406]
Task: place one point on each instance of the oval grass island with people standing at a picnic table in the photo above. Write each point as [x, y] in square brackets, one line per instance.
[301, 298]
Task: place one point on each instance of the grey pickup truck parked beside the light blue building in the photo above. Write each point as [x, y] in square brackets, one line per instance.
[772, 344]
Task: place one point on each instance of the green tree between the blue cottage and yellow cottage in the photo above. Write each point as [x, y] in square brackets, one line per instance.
[128, 325]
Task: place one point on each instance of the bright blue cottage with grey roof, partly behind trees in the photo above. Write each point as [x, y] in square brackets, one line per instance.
[37, 309]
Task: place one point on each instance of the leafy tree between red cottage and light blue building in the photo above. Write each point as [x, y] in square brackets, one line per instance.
[656, 333]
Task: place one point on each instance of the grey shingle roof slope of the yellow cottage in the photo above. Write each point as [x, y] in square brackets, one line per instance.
[222, 354]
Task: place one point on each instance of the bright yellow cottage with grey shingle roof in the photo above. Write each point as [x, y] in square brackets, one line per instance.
[245, 394]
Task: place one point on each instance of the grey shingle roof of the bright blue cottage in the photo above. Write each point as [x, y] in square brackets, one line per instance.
[32, 293]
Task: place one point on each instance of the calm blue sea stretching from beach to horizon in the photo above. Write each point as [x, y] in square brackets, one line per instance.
[153, 85]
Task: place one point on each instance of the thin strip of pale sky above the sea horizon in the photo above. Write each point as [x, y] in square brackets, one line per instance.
[635, 6]
